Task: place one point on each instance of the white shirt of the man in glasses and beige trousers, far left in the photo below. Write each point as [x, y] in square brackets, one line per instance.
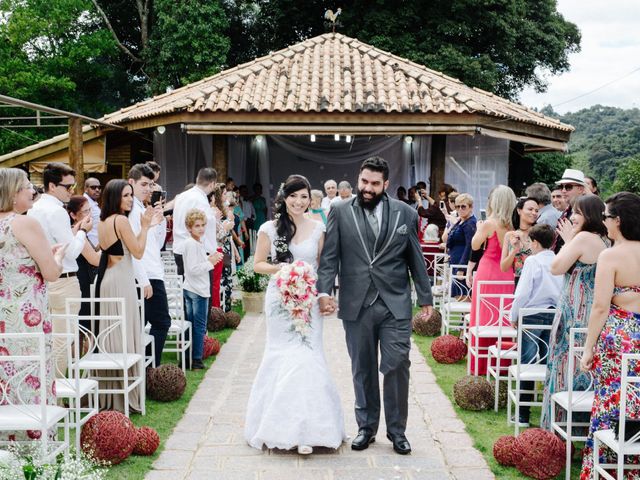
[55, 221]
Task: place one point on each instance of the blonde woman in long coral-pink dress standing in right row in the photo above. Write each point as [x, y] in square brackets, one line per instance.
[491, 233]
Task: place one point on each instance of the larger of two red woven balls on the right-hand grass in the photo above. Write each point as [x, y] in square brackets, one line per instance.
[539, 454]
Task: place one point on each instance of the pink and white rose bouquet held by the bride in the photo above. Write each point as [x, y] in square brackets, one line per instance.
[296, 283]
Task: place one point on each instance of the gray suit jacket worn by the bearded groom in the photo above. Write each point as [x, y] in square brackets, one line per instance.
[352, 252]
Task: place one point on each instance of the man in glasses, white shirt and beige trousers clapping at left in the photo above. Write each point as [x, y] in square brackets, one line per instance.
[59, 182]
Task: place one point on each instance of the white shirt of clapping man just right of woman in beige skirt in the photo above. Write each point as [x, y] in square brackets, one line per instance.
[150, 266]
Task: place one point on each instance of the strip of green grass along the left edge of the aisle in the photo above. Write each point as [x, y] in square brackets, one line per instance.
[164, 416]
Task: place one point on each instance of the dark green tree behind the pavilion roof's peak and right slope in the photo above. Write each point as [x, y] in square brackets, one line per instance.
[496, 45]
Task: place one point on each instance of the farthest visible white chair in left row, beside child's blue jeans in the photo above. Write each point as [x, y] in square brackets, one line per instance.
[179, 335]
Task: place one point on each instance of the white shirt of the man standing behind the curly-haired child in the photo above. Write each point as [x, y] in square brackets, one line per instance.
[193, 198]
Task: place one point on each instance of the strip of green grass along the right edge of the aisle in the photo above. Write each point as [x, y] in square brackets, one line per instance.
[484, 427]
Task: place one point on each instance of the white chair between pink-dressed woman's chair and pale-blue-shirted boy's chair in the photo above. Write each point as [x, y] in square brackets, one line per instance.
[500, 352]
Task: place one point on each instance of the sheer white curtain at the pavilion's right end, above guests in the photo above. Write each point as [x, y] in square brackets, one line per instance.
[475, 164]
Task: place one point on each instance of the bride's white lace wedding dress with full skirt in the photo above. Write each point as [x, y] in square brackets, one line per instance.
[294, 400]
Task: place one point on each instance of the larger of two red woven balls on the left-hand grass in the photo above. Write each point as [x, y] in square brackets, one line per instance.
[108, 437]
